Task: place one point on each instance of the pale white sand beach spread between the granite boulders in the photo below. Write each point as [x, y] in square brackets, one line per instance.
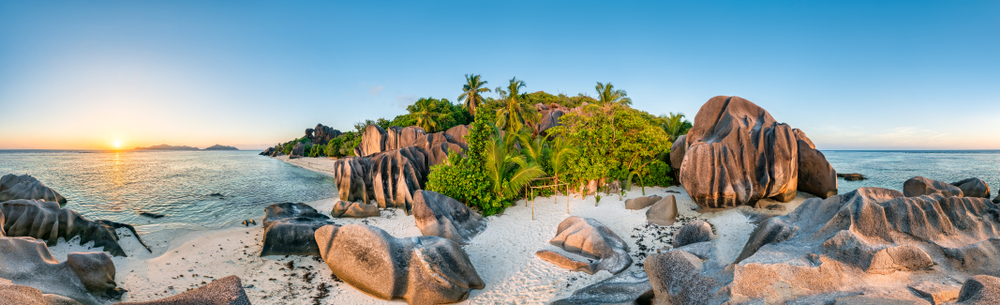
[503, 254]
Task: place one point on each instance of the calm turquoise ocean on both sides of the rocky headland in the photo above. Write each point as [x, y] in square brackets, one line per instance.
[117, 186]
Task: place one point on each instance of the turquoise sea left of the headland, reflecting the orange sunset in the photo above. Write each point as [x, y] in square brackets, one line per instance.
[118, 186]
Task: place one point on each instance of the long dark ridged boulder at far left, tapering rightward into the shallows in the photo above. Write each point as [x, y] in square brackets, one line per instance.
[46, 221]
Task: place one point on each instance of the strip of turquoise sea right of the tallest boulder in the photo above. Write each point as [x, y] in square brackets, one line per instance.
[889, 169]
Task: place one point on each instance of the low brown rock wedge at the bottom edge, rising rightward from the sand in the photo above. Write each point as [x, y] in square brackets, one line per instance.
[224, 291]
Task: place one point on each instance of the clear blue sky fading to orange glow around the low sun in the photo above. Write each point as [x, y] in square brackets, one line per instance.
[851, 74]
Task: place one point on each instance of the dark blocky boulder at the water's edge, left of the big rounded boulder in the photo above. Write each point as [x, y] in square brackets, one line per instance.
[289, 229]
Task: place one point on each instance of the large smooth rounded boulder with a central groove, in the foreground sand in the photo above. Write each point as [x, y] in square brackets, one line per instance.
[421, 270]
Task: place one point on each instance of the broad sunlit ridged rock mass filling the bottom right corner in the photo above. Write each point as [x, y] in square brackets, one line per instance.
[828, 250]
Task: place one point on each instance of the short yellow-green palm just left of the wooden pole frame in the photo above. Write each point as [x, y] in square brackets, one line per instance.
[506, 169]
